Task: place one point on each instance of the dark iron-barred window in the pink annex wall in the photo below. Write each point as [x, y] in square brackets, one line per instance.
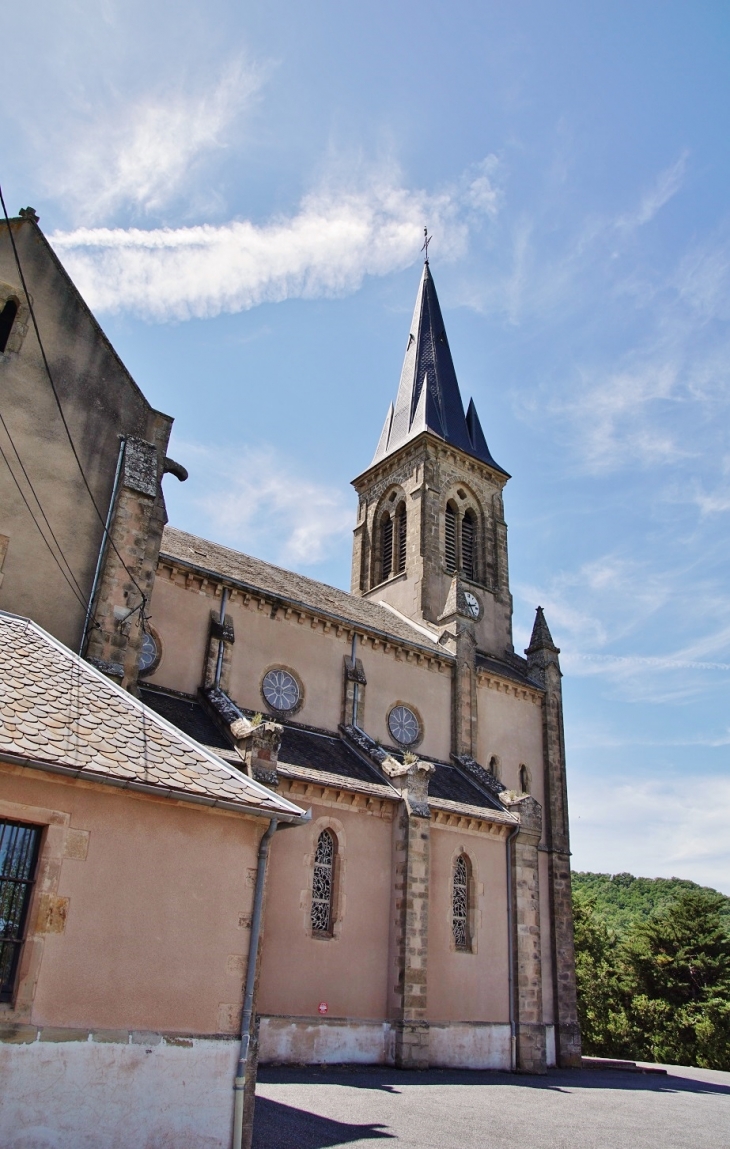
[19, 859]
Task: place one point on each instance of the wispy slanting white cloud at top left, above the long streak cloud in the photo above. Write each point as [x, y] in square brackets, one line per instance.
[142, 155]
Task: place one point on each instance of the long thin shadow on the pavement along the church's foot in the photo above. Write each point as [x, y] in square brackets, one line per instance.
[389, 1081]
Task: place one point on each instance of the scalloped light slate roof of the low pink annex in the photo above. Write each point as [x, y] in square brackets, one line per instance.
[63, 714]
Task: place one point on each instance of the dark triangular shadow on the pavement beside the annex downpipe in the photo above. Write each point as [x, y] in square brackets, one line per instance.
[279, 1127]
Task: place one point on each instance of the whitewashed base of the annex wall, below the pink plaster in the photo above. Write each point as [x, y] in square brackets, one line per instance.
[112, 1096]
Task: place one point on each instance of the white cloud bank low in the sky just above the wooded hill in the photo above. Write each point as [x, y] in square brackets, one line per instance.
[674, 827]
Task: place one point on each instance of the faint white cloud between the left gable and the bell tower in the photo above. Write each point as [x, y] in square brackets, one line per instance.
[255, 500]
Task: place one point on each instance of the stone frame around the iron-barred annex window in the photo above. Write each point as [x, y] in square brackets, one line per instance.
[48, 913]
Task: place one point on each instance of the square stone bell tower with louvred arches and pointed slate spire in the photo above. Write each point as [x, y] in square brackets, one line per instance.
[432, 539]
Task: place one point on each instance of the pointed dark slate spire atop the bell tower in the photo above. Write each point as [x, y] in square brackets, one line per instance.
[428, 397]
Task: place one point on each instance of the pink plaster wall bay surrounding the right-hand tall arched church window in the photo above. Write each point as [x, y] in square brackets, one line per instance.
[468, 988]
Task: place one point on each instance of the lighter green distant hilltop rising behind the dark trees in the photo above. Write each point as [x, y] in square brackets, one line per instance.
[623, 899]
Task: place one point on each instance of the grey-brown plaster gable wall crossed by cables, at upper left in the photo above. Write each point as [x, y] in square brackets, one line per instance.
[101, 403]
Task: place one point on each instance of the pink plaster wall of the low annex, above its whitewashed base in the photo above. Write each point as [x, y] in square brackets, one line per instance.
[148, 929]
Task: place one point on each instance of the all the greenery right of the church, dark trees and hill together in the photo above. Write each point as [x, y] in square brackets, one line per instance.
[654, 969]
